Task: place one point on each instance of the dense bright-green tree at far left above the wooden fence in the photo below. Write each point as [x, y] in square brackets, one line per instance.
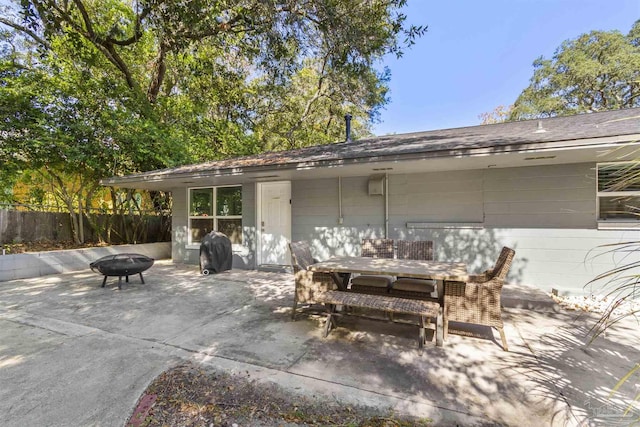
[62, 125]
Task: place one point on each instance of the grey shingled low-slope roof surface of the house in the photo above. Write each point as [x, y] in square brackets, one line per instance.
[569, 131]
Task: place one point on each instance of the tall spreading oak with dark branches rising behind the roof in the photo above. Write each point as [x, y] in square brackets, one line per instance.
[248, 51]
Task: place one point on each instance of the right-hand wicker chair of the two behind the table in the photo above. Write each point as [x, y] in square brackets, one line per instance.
[406, 287]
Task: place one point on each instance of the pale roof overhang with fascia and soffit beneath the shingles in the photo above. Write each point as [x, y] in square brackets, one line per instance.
[615, 148]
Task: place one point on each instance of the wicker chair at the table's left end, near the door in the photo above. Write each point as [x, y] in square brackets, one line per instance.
[308, 283]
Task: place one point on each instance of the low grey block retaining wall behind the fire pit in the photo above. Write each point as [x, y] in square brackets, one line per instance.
[35, 264]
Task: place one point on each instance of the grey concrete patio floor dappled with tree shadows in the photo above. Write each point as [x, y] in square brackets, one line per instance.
[73, 353]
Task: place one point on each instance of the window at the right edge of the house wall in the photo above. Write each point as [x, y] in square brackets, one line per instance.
[619, 191]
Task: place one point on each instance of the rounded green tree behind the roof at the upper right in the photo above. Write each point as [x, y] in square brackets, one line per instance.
[594, 72]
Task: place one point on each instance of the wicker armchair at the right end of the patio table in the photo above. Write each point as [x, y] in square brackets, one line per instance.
[478, 300]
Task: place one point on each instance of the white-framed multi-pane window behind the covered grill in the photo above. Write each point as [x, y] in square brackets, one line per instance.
[215, 208]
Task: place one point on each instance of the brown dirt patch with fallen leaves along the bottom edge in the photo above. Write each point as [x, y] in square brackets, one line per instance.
[192, 396]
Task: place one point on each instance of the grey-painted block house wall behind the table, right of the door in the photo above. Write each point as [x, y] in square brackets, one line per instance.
[546, 213]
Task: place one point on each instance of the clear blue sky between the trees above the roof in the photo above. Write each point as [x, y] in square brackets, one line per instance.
[477, 55]
